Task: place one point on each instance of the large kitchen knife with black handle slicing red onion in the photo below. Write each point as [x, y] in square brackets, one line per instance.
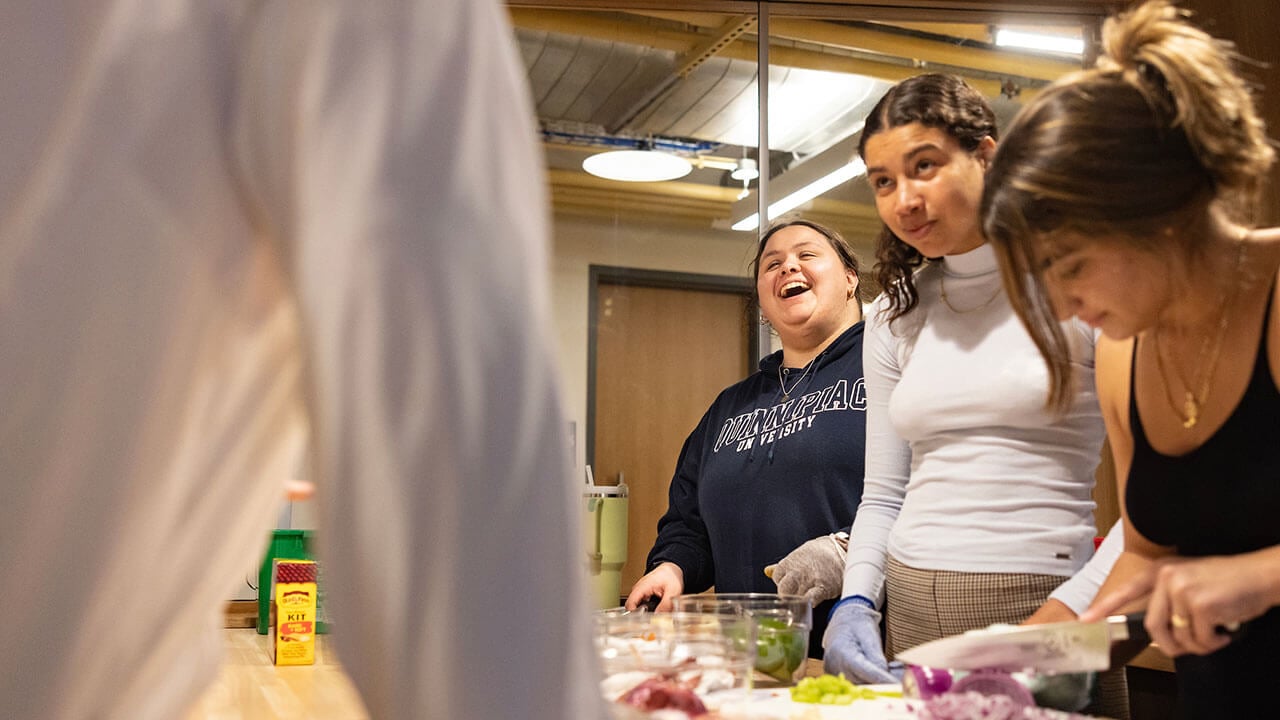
[1052, 648]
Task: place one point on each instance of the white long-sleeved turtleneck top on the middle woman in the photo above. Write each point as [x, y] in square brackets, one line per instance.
[966, 468]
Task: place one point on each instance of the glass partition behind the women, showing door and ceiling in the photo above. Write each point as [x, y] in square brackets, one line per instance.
[651, 277]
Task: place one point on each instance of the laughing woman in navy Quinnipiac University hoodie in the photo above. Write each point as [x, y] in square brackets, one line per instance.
[776, 463]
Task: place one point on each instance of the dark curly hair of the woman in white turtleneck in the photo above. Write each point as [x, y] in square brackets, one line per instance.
[934, 101]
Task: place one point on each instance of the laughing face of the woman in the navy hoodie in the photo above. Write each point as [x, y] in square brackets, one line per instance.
[804, 288]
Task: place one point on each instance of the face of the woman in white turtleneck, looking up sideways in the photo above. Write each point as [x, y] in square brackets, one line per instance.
[929, 188]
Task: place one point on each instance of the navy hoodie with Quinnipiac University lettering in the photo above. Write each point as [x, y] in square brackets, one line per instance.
[758, 477]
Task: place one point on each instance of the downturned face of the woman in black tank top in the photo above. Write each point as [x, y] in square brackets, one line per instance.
[1107, 282]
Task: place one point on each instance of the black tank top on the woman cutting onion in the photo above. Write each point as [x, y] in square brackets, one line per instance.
[1220, 499]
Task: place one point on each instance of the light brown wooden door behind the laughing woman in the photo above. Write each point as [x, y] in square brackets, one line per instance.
[661, 357]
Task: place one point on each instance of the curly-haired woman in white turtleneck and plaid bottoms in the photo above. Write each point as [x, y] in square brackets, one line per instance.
[979, 499]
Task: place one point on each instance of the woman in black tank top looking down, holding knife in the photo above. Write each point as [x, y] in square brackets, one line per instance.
[1124, 197]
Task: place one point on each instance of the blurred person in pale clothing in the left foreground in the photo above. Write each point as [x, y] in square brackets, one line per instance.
[227, 230]
